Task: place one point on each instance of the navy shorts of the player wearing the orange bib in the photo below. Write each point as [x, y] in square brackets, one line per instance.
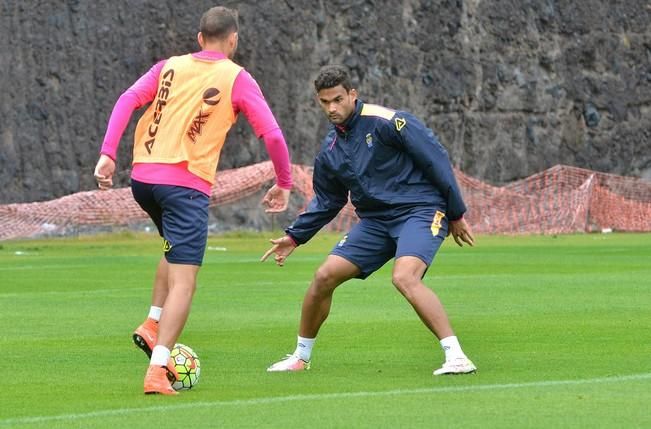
[181, 216]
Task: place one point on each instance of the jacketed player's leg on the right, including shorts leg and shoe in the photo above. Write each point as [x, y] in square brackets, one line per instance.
[419, 238]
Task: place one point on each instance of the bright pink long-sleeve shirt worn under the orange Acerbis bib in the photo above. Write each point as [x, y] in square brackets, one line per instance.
[246, 97]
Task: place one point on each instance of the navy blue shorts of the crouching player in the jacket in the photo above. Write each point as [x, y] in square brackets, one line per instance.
[374, 241]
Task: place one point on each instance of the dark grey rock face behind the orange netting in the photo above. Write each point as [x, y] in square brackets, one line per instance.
[512, 87]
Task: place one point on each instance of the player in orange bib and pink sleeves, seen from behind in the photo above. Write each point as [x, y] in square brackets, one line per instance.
[194, 100]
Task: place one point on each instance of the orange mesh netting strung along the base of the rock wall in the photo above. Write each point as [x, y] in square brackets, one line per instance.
[559, 200]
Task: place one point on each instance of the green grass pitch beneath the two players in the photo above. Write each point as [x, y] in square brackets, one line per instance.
[559, 327]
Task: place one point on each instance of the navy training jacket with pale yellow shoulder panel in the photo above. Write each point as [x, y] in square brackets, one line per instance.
[388, 160]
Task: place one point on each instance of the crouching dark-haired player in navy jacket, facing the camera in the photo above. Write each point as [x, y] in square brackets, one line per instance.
[402, 185]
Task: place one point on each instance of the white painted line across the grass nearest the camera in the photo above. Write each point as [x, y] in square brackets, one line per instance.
[119, 412]
